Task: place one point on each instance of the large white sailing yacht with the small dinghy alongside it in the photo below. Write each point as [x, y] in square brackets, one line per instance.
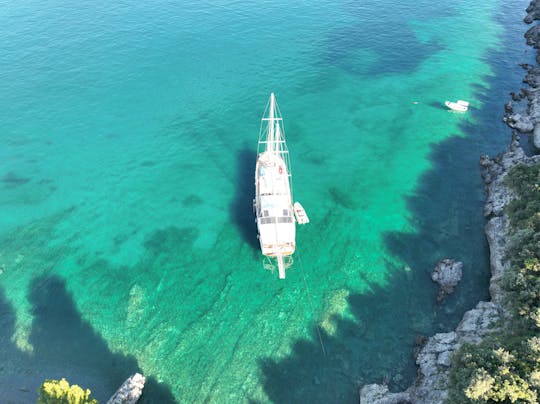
[273, 190]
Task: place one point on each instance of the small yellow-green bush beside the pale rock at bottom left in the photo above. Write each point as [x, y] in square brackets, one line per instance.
[60, 392]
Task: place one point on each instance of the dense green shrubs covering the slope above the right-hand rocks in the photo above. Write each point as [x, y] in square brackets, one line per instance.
[505, 368]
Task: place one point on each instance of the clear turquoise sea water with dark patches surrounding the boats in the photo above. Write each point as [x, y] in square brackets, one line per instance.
[128, 137]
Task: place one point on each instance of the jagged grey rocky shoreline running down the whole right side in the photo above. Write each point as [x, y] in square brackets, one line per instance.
[434, 358]
